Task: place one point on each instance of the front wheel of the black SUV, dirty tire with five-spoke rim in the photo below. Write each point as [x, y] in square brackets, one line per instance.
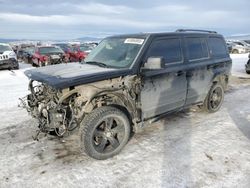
[104, 132]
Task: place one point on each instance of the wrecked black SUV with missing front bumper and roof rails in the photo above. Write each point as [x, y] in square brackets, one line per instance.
[127, 82]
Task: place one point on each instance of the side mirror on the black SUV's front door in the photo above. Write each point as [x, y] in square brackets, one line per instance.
[154, 63]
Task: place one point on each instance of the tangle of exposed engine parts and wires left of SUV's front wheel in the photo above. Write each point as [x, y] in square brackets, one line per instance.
[54, 117]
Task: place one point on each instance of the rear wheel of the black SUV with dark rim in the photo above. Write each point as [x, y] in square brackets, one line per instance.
[214, 98]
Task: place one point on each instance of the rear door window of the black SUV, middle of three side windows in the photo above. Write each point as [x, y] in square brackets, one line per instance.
[197, 48]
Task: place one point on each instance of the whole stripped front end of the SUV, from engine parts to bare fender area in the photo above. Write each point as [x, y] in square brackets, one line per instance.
[60, 111]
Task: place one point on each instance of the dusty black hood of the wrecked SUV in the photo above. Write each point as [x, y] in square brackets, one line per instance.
[72, 74]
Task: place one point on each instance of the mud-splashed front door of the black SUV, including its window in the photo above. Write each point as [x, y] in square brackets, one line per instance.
[164, 90]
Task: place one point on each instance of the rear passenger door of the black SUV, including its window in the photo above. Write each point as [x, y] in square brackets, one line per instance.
[198, 74]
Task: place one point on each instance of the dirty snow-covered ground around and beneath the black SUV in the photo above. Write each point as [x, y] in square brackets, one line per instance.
[187, 149]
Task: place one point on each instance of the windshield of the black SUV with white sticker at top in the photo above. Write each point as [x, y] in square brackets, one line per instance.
[116, 52]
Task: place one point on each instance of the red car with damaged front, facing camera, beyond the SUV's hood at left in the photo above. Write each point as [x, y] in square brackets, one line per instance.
[49, 55]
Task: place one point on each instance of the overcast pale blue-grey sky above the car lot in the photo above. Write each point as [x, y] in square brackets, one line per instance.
[55, 19]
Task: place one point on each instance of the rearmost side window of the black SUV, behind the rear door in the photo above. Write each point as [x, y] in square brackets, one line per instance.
[217, 47]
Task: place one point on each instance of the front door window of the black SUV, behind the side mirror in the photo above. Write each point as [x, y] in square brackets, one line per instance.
[169, 49]
